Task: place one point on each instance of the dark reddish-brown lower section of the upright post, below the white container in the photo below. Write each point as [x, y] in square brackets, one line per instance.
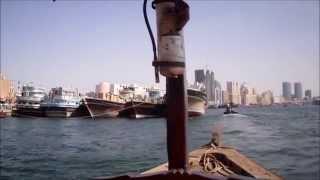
[177, 123]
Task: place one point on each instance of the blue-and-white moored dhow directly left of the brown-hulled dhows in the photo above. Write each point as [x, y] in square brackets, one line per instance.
[61, 103]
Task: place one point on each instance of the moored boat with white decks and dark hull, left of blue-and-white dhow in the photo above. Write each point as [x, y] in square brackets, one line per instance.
[28, 103]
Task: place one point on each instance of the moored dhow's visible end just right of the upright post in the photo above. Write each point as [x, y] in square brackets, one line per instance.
[197, 102]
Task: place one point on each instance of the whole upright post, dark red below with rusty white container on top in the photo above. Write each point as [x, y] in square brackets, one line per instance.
[172, 15]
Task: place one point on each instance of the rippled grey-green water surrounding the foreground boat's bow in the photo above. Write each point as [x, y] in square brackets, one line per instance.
[283, 139]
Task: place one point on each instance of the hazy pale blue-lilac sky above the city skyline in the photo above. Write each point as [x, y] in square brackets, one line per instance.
[80, 43]
